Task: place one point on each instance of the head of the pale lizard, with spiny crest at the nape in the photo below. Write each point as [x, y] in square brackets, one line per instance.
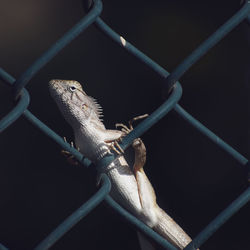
[76, 106]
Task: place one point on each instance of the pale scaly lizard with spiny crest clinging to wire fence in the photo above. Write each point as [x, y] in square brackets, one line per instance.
[130, 187]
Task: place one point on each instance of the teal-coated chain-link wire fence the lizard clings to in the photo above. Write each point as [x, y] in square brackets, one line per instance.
[173, 92]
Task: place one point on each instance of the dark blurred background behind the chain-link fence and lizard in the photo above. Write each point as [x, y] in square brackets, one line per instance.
[194, 179]
